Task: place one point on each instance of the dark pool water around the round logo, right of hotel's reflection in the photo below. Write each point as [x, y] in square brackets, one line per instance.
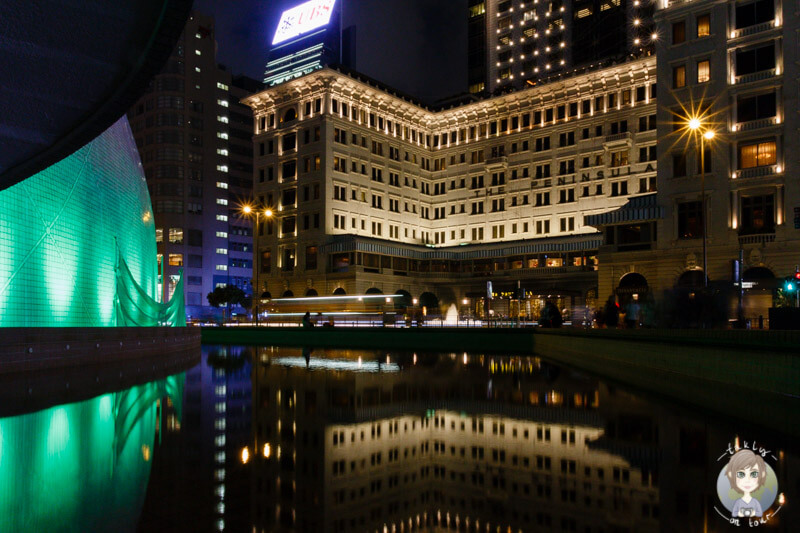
[681, 448]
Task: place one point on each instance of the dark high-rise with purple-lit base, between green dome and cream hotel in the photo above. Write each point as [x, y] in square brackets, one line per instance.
[194, 138]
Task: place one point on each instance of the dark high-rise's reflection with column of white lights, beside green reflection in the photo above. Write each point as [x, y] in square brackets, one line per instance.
[198, 483]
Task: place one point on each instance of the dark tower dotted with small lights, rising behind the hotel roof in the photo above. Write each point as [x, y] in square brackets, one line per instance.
[514, 43]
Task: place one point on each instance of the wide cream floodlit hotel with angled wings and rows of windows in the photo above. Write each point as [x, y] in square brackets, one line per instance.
[373, 192]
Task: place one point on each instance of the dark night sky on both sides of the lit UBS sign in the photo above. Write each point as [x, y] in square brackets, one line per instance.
[415, 46]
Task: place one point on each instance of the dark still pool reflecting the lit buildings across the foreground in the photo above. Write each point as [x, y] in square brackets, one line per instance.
[294, 439]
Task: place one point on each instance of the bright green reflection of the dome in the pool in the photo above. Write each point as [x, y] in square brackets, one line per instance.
[82, 466]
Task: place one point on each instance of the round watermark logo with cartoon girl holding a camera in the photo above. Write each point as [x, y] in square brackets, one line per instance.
[747, 485]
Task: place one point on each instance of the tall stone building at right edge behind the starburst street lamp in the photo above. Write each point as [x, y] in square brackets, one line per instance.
[734, 66]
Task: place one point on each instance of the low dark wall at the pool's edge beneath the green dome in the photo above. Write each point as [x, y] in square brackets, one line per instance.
[40, 367]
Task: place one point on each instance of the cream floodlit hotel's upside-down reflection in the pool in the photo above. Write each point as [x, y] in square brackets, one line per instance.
[447, 443]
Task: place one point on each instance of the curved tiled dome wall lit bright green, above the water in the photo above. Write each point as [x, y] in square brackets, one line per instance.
[59, 233]
